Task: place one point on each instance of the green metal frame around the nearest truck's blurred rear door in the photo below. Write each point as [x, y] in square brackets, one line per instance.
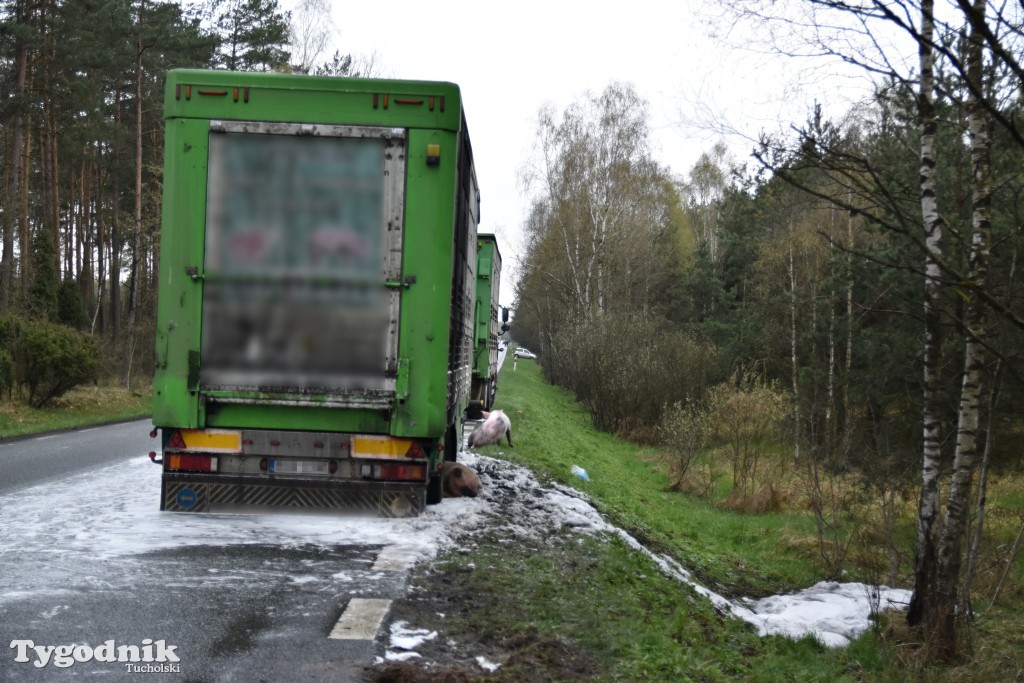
[432, 114]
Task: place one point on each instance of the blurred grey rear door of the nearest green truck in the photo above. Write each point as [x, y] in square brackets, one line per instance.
[305, 236]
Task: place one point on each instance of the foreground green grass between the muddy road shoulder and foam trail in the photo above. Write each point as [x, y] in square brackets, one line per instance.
[621, 618]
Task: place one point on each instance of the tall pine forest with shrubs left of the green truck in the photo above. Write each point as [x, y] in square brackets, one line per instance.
[81, 139]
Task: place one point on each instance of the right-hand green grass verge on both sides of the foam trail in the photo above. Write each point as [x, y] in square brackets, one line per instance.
[614, 616]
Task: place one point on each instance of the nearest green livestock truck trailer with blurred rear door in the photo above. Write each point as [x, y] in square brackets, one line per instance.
[318, 275]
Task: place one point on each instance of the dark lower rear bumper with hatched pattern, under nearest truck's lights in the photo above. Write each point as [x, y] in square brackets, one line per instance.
[205, 493]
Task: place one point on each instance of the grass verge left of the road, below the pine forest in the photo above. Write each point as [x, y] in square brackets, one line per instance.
[81, 407]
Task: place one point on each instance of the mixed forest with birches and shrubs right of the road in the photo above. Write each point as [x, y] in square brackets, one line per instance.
[835, 326]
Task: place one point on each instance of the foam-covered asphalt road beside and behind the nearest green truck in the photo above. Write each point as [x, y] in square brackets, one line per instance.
[88, 559]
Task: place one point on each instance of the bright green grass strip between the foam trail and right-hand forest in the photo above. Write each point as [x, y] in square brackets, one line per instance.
[736, 553]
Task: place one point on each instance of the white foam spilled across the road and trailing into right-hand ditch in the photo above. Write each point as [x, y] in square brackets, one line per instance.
[114, 514]
